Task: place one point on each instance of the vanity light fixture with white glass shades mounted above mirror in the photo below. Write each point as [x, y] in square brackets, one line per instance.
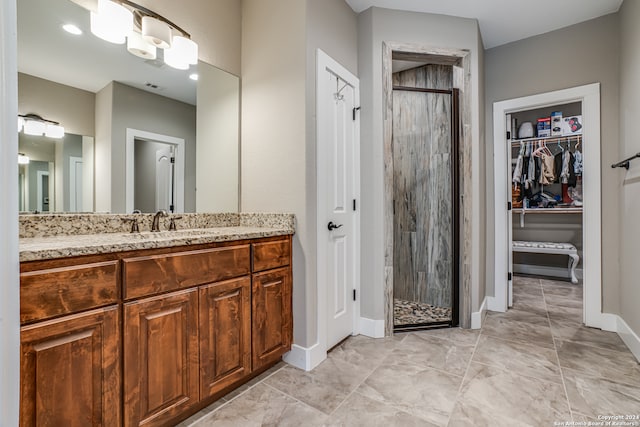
[118, 20]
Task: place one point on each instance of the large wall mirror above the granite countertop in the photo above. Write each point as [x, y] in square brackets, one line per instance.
[138, 133]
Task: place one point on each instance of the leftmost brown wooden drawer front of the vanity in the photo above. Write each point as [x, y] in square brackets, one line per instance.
[57, 291]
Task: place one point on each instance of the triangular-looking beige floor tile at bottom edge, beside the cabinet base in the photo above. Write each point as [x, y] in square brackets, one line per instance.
[263, 406]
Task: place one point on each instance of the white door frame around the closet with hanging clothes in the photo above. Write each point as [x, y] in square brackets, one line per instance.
[589, 95]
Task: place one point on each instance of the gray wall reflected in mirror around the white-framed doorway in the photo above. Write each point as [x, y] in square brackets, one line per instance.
[137, 109]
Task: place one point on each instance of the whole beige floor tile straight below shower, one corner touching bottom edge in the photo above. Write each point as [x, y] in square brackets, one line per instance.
[423, 392]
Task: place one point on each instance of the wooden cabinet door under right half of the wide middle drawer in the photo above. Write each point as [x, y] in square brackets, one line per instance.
[225, 334]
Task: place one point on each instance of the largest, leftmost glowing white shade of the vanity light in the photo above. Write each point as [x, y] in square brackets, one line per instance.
[112, 22]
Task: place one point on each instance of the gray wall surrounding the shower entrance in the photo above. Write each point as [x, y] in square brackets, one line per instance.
[376, 26]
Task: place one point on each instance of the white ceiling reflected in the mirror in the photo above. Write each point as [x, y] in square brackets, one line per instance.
[86, 62]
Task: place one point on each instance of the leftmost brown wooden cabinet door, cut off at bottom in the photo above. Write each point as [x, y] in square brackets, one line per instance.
[70, 371]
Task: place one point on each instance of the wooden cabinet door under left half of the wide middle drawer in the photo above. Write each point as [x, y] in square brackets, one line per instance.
[160, 358]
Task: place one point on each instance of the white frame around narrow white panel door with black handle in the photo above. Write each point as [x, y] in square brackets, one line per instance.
[326, 63]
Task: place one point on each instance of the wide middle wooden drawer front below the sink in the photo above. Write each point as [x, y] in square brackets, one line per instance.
[148, 275]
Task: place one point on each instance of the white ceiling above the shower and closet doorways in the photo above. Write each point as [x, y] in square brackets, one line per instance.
[505, 21]
